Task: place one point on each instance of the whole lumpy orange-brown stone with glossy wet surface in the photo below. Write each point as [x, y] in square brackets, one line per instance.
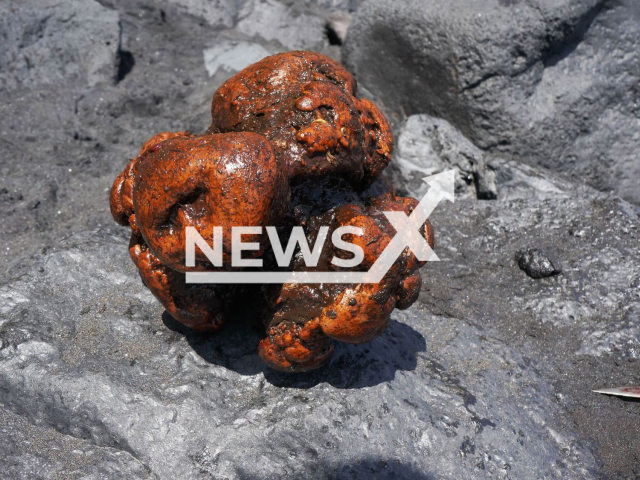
[289, 146]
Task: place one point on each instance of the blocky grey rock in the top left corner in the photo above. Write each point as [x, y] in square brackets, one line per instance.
[48, 42]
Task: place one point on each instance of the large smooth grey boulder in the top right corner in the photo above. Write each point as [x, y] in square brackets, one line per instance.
[551, 83]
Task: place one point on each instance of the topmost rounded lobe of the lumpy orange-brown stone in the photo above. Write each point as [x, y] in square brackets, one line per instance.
[305, 104]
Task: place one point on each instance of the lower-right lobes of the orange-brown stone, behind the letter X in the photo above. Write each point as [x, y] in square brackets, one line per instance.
[352, 313]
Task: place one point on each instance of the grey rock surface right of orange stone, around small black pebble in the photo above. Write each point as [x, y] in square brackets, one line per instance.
[582, 327]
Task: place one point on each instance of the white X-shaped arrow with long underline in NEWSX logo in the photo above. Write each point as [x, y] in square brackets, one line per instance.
[441, 186]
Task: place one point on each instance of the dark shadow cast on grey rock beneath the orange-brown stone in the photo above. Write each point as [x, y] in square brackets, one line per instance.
[352, 366]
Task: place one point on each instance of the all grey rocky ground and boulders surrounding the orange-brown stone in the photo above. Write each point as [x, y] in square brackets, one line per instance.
[488, 375]
